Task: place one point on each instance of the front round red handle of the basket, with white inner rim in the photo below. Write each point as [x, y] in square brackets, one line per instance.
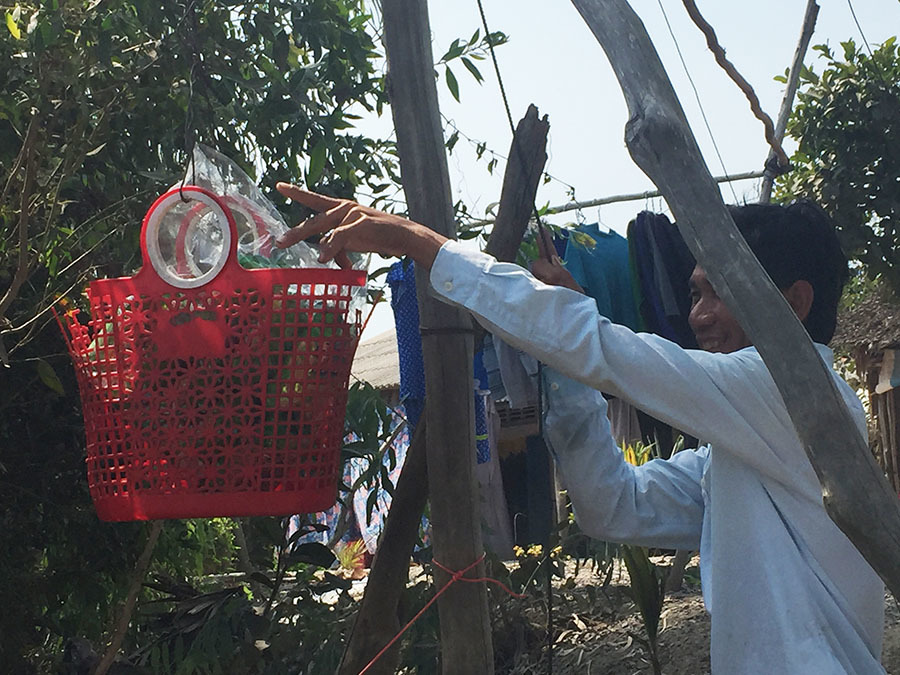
[150, 235]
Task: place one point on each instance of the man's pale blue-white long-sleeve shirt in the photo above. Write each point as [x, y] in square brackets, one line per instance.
[786, 590]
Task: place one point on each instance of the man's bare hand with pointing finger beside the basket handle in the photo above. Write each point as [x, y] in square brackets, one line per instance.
[348, 226]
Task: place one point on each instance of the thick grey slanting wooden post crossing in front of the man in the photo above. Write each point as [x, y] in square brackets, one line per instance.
[854, 490]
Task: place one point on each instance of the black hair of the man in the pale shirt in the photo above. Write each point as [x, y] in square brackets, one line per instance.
[798, 242]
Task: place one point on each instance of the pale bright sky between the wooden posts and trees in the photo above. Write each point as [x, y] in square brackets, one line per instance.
[553, 61]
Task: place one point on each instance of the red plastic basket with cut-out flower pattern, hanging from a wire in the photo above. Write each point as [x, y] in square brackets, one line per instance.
[218, 395]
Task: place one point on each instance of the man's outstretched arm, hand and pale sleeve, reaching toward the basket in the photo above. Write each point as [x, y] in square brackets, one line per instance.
[729, 400]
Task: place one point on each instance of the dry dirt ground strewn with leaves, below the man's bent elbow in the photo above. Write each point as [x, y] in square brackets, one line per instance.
[599, 631]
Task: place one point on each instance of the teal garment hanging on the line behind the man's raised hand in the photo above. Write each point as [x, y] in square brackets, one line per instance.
[598, 260]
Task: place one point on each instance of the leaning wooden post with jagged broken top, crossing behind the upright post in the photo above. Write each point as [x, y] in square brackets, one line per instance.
[378, 619]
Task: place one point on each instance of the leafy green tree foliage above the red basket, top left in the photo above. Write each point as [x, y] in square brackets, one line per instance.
[100, 102]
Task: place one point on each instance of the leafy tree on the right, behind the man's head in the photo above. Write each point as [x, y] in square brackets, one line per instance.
[847, 124]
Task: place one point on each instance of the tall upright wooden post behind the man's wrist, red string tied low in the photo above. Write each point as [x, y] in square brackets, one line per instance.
[447, 344]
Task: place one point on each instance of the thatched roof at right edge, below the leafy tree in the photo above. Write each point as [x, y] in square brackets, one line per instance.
[870, 321]
